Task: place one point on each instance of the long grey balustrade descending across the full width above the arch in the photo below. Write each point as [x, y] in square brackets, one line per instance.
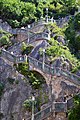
[37, 64]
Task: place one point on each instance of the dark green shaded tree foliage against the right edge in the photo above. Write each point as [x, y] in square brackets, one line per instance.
[72, 35]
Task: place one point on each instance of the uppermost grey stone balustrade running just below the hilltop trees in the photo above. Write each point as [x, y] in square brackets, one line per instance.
[5, 26]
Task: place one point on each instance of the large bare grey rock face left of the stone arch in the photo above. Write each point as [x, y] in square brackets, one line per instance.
[14, 93]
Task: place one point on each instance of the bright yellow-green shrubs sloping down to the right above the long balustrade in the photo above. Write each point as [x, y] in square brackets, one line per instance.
[57, 50]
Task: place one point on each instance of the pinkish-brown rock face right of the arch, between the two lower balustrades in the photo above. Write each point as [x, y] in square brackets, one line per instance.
[63, 89]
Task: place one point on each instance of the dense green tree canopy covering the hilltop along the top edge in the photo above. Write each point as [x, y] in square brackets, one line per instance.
[20, 13]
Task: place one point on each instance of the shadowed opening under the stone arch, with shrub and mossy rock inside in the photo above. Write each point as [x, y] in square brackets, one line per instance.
[40, 87]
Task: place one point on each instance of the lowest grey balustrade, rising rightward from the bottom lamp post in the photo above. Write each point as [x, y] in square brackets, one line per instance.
[54, 107]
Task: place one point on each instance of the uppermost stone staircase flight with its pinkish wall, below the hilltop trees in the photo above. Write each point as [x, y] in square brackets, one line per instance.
[34, 27]
